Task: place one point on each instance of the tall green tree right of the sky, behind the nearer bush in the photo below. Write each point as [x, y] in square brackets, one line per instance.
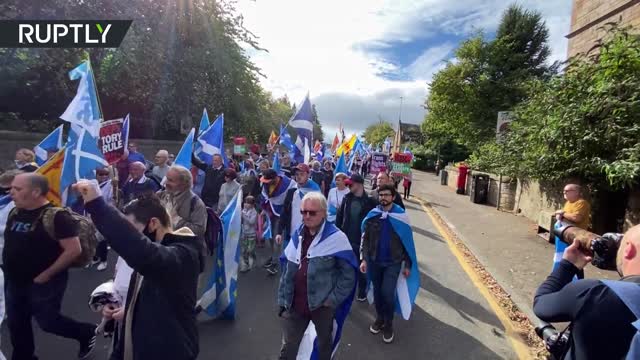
[488, 77]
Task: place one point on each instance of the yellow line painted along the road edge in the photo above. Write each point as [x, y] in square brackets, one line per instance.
[518, 344]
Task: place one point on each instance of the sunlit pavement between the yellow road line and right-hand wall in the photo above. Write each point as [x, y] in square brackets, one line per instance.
[505, 244]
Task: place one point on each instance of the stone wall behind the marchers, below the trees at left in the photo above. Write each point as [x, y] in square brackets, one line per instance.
[11, 141]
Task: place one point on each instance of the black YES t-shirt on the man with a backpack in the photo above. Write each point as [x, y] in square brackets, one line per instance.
[28, 249]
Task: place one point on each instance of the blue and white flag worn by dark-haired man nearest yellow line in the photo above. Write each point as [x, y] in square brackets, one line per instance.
[406, 288]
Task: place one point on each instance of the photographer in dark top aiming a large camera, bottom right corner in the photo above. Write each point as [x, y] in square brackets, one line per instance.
[601, 312]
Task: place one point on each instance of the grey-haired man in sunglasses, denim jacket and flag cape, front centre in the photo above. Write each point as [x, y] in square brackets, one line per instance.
[317, 284]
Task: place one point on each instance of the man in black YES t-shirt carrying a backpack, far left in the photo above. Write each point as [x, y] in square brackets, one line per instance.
[41, 243]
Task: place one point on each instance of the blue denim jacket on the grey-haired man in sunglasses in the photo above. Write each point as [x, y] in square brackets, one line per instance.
[329, 279]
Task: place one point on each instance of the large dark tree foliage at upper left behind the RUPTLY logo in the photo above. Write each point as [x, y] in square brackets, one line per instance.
[178, 57]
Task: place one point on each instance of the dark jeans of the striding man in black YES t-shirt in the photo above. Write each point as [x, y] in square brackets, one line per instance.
[25, 299]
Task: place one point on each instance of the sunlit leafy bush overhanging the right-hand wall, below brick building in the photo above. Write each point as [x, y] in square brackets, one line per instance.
[585, 123]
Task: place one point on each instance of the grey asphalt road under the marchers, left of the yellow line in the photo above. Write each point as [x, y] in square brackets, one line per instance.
[452, 320]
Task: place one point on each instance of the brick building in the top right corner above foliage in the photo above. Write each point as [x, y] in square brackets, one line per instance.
[588, 16]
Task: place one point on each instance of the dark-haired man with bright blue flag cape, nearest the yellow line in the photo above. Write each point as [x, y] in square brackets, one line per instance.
[388, 256]
